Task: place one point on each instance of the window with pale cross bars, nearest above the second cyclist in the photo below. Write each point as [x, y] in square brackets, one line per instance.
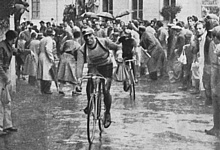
[137, 7]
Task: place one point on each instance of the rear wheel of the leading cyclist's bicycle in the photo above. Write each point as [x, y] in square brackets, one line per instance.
[100, 116]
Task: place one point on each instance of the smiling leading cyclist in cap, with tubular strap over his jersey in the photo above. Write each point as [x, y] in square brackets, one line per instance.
[96, 53]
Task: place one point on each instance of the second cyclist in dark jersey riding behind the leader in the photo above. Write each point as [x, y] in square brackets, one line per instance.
[129, 46]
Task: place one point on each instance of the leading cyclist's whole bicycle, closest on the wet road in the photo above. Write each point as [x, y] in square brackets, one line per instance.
[95, 106]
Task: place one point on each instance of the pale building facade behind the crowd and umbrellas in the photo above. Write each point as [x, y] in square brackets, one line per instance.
[143, 9]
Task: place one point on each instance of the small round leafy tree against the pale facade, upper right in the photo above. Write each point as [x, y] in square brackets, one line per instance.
[169, 12]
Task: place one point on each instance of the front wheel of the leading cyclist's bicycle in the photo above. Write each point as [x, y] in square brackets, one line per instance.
[91, 126]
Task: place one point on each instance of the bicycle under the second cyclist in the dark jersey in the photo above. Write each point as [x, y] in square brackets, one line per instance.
[131, 78]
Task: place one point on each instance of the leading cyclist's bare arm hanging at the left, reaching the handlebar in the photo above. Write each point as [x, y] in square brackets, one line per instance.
[80, 62]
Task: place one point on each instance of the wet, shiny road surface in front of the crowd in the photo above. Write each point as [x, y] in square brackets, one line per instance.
[161, 118]
